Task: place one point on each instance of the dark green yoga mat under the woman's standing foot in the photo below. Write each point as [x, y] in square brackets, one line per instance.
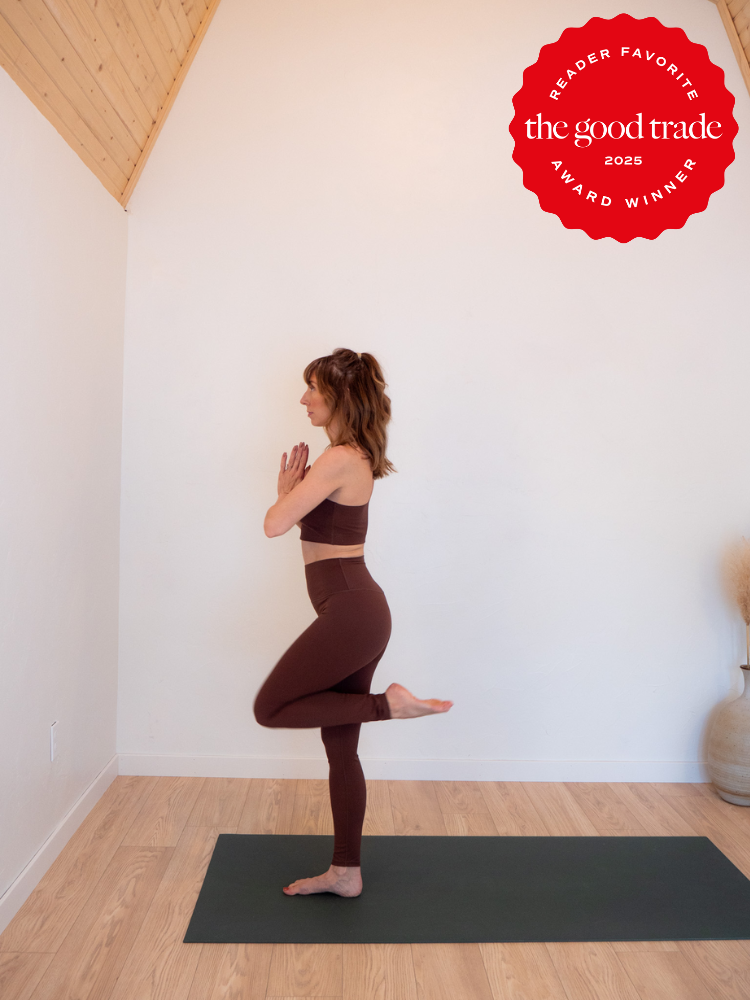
[454, 889]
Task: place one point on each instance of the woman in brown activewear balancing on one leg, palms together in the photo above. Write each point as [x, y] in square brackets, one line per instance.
[323, 679]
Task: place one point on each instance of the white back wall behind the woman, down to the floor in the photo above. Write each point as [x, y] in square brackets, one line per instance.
[570, 416]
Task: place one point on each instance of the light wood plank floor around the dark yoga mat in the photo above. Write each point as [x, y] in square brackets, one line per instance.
[109, 917]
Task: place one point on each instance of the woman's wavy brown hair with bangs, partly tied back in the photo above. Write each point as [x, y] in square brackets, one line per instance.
[354, 388]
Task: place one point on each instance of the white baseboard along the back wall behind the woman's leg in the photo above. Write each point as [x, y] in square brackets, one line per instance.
[184, 765]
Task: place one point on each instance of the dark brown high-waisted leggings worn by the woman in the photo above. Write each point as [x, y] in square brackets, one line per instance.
[323, 680]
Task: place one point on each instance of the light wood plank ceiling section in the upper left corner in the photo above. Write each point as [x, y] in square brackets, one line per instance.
[105, 73]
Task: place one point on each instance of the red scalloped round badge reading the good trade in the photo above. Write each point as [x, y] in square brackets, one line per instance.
[623, 128]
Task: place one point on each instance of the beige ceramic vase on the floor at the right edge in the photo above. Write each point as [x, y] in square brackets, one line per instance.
[729, 748]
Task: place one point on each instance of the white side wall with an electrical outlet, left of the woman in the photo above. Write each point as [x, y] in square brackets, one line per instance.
[63, 243]
